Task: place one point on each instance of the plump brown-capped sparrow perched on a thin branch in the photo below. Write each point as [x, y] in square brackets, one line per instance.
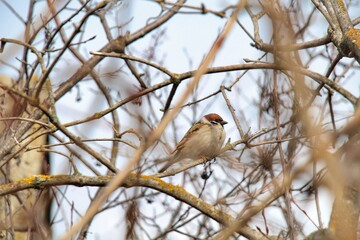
[203, 140]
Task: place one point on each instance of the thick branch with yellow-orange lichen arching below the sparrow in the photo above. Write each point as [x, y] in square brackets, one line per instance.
[132, 180]
